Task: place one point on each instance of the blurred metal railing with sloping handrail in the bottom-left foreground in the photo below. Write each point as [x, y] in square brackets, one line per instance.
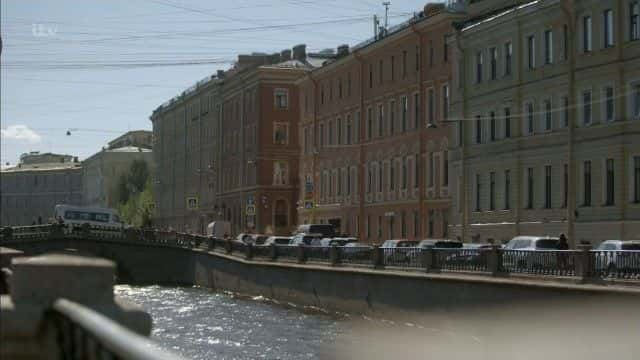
[82, 333]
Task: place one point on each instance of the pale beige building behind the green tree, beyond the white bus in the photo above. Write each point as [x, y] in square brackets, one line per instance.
[102, 170]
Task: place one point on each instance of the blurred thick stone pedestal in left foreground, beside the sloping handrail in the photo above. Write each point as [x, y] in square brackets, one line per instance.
[27, 327]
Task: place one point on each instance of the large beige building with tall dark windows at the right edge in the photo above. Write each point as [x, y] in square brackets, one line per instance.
[546, 105]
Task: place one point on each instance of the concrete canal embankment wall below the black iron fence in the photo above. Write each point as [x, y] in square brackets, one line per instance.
[358, 290]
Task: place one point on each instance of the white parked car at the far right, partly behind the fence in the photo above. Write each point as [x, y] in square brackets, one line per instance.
[618, 255]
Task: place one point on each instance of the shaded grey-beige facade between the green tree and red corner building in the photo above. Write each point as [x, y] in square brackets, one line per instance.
[184, 176]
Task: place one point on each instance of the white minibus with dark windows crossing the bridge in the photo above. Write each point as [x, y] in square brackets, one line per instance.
[78, 215]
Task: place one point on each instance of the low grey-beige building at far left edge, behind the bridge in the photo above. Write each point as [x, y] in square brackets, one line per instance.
[30, 191]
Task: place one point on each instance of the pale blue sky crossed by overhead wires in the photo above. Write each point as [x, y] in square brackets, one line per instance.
[98, 68]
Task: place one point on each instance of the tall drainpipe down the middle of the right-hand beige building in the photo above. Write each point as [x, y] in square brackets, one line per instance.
[568, 8]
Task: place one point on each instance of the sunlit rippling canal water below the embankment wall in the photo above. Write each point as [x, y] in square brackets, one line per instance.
[201, 324]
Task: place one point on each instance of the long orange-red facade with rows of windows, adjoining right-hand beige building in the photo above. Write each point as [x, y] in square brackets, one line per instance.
[374, 133]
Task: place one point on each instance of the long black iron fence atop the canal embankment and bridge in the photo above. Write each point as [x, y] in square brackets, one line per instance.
[584, 264]
